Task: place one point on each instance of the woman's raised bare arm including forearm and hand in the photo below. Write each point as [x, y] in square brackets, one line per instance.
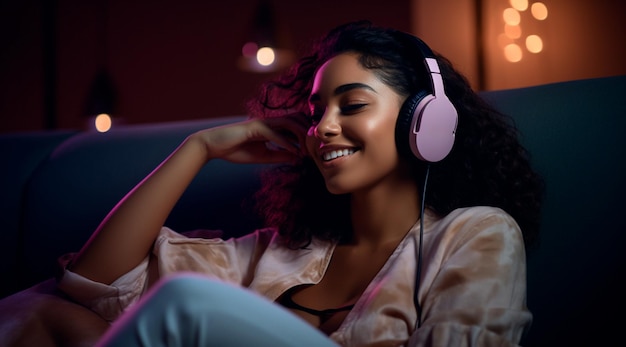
[126, 235]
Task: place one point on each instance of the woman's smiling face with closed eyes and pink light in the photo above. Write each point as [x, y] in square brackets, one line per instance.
[352, 137]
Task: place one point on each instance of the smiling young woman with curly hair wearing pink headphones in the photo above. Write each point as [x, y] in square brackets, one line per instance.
[399, 216]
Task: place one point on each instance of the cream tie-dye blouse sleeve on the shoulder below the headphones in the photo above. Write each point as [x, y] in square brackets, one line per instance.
[477, 296]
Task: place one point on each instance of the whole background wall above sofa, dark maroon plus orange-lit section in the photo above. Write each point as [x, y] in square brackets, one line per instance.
[172, 60]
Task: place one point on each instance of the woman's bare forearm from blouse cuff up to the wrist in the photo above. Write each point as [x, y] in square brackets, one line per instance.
[126, 235]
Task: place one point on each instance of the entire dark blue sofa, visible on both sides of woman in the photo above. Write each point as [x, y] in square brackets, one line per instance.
[58, 185]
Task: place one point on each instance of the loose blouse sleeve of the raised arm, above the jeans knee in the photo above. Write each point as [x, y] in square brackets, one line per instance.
[230, 260]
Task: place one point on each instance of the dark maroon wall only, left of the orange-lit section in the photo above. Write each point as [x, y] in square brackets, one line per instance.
[169, 59]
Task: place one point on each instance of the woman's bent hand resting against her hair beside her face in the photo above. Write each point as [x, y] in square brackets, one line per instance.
[270, 140]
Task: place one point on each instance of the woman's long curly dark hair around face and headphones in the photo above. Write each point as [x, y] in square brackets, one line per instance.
[487, 165]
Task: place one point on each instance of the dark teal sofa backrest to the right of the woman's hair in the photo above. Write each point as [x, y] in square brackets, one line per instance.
[575, 134]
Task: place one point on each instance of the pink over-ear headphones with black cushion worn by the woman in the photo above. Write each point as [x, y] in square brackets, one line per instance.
[428, 118]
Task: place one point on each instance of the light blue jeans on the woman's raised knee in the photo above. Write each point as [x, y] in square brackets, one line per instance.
[191, 310]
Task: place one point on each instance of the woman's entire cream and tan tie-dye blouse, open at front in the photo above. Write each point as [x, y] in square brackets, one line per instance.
[472, 290]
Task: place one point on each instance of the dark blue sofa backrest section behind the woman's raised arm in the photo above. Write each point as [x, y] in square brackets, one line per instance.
[85, 176]
